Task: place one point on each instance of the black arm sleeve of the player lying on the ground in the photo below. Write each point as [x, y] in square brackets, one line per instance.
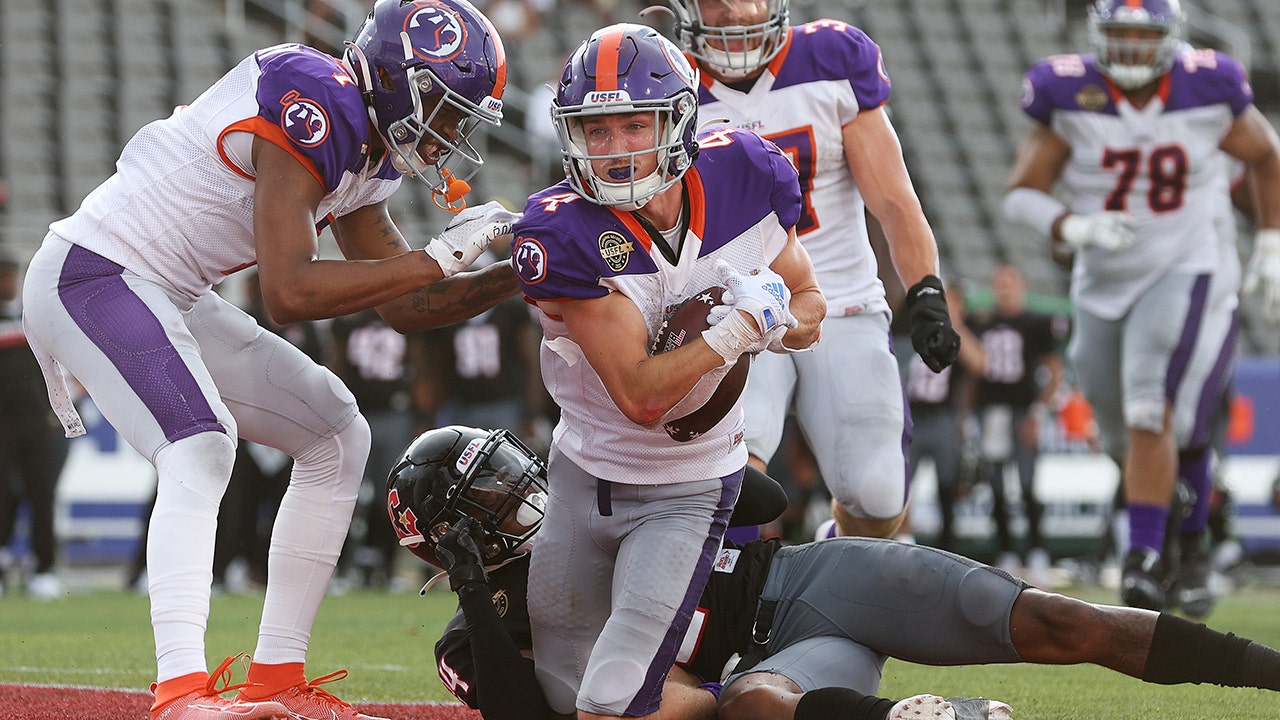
[505, 683]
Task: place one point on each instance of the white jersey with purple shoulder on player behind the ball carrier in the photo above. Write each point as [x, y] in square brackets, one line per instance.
[824, 78]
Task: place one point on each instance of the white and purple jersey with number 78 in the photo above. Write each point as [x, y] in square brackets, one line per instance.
[1160, 163]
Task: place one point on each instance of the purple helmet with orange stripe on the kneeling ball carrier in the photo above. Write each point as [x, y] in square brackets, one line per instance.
[628, 69]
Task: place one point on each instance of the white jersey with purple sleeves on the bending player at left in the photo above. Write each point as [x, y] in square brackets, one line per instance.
[180, 208]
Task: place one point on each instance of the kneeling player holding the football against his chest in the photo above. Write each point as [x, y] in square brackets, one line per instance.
[647, 217]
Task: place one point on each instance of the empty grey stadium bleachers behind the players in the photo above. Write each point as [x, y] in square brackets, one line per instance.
[80, 79]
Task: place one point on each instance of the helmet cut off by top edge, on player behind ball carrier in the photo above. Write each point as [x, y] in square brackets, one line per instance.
[734, 52]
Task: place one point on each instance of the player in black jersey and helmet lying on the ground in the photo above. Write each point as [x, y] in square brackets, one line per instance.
[824, 616]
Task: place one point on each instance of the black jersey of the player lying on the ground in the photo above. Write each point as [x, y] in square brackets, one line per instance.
[723, 625]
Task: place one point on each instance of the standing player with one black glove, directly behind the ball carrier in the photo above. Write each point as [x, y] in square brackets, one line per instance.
[819, 92]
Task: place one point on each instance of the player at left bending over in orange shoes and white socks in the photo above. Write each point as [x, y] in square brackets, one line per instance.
[287, 143]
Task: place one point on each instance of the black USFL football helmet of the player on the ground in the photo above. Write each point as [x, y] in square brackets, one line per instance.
[458, 471]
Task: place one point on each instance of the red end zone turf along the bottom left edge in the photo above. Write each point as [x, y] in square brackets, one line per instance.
[49, 703]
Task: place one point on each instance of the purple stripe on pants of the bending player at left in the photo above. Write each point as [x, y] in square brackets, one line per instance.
[122, 326]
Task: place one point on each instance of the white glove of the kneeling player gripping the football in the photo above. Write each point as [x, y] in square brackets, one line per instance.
[765, 302]
